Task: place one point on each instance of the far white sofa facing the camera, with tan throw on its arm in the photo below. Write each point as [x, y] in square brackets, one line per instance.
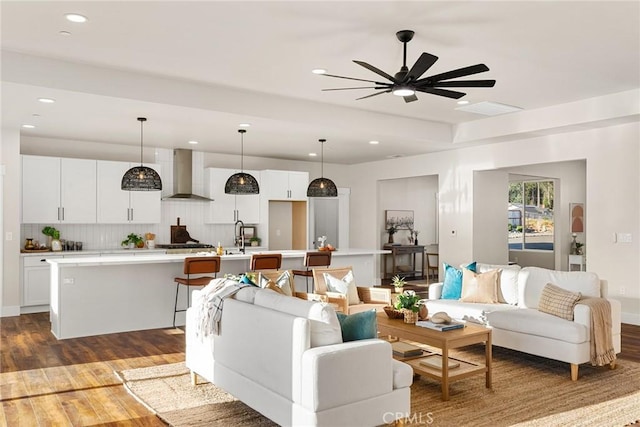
[516, 322]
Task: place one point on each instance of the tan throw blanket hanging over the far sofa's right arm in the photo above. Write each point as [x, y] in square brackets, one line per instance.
[602, 351]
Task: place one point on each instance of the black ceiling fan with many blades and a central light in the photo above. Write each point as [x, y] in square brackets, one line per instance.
[407, 82]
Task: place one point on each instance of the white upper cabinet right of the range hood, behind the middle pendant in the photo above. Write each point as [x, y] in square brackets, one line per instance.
[229, 208]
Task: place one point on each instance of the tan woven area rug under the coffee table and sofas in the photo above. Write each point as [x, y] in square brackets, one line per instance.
[527, 391]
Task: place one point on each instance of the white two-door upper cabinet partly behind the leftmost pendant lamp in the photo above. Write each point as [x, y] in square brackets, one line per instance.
[117, 206]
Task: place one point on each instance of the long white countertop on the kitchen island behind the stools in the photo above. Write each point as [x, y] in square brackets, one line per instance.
[154, 257]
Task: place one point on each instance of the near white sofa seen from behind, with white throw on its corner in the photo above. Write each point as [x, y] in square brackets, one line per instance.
[284, 357]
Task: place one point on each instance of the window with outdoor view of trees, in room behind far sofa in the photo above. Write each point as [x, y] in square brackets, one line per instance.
[530, 215]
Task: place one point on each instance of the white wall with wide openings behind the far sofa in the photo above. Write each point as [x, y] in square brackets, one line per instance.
[612, 197]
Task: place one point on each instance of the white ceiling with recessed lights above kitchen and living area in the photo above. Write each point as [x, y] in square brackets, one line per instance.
[198, 69]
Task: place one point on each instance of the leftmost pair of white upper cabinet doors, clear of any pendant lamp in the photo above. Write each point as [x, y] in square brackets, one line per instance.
[56, 190]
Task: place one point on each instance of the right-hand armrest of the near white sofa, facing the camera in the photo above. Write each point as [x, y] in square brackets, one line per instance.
[339, 374]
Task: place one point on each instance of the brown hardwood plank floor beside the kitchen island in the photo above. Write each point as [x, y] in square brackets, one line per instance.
[71, 382]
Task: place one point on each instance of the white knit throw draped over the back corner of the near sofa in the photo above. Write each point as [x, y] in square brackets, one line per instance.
[210, 304]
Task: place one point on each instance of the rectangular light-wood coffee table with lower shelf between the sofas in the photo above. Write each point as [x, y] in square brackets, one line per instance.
[470, 334]
